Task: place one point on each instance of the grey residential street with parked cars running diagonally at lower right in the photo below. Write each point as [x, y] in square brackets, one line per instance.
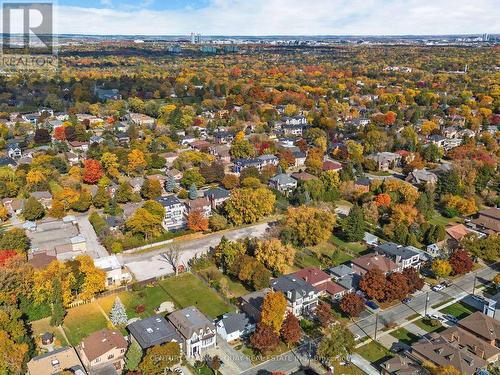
[398, 314]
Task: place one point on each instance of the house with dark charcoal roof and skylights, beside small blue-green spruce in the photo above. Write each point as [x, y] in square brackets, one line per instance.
[155, 330]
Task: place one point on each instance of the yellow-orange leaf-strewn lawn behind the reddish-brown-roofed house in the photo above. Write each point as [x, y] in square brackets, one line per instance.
[83, 320]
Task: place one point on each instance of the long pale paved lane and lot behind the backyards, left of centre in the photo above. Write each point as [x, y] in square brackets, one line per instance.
[152, 264]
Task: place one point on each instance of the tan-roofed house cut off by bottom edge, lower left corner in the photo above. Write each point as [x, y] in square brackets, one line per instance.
[55, 362]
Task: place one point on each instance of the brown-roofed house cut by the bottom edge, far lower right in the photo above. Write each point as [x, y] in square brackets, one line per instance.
[440, 352]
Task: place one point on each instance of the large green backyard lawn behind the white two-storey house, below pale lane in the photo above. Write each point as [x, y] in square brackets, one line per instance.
[187, 290]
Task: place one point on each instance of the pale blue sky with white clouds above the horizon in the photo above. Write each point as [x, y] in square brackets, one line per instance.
[277, 17]
